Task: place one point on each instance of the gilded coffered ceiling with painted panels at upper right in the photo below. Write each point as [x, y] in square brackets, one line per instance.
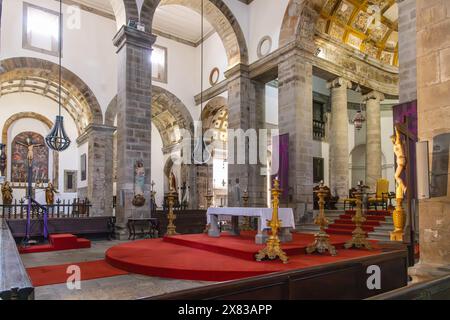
[370, 26]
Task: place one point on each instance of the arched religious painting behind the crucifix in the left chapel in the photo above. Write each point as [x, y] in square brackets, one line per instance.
[24, 145]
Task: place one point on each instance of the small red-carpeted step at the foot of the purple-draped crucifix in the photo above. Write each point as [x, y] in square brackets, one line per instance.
[58, 242]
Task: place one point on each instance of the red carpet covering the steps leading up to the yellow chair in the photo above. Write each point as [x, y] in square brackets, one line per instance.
[345, 226]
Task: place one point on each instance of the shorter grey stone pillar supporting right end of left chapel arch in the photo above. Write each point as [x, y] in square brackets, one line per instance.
[99, 168]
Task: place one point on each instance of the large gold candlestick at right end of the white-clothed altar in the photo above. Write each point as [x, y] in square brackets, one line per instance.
[273, 249]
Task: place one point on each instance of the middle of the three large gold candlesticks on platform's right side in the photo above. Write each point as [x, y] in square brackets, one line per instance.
[321, 243]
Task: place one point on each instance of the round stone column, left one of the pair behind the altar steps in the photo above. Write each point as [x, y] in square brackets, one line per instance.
[339, 137]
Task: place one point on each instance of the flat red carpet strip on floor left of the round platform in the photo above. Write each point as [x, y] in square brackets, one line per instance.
[47, 275]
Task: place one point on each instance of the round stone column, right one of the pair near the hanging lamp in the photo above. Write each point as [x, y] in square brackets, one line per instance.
[373, 138]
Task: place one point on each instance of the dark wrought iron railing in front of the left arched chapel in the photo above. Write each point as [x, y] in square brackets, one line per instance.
[61, 209]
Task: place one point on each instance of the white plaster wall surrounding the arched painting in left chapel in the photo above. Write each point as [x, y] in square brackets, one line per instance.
[25, 102]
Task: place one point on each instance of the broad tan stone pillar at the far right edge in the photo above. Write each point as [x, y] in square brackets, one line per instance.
[433, 91]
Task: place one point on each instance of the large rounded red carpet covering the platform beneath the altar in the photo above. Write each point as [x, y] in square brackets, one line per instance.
[196, 257]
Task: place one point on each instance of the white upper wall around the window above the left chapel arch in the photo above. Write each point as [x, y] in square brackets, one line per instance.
[98, 66]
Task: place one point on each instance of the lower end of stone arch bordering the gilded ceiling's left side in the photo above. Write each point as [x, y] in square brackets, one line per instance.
[299, 21]
